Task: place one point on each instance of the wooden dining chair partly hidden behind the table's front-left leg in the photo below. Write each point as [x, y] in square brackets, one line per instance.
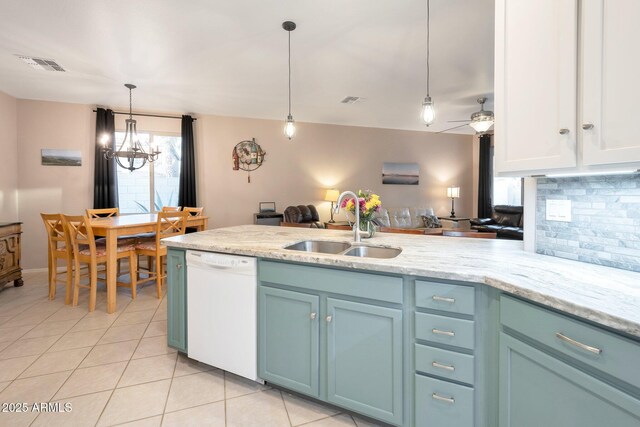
[86, 251]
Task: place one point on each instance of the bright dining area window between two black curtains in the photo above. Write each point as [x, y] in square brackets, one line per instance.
[155, 184]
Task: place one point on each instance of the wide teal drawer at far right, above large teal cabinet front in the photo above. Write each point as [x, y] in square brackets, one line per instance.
[603, 350]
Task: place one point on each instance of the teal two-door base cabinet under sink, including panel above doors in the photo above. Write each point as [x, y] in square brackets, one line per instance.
[334, 335]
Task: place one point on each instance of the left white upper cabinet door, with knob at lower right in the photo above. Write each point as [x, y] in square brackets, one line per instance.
[535, 84]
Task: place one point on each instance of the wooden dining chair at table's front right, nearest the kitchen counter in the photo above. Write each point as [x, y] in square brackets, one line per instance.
[169, 224]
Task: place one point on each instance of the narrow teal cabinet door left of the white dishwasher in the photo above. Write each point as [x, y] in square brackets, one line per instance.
[176, 300]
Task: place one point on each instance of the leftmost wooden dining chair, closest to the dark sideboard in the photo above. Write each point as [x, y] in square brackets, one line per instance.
[59, 248]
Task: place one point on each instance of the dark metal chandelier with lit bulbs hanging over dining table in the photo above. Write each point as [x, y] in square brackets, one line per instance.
[130, 154]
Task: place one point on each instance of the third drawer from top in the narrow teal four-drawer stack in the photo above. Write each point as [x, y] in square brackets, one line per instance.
[444, 363]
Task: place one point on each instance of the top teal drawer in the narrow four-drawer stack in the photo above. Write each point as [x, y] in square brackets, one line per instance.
[445, 297]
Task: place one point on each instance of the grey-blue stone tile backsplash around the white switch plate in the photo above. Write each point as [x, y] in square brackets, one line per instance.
[605, 220]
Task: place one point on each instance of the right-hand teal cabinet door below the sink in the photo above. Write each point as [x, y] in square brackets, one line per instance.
[364, 358]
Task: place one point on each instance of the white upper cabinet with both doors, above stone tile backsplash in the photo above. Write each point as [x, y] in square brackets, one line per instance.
[566, 85]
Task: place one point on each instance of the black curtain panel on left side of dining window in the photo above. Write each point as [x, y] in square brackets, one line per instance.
[105, 178]
